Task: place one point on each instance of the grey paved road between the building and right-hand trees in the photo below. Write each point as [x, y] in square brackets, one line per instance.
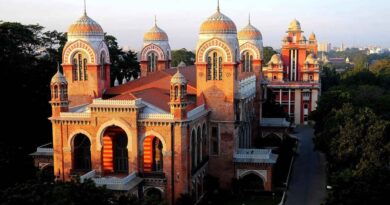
[308, 177]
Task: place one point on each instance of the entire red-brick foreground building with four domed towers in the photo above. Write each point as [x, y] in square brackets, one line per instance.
[164, 132]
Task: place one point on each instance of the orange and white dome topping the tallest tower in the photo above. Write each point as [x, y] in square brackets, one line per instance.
[218, 23]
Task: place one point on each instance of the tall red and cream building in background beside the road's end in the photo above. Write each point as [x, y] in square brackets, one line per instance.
[293, 75]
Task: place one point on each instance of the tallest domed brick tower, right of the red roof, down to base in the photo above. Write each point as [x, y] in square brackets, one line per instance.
[217, 59]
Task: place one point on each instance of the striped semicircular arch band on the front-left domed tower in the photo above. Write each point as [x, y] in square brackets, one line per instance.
[76, 46]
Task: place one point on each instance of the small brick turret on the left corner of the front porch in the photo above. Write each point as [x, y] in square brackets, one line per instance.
[59, 94]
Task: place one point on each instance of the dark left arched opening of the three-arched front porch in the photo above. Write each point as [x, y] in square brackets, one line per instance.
[81, 153]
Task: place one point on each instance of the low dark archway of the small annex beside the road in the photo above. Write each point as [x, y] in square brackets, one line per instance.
[251, 183]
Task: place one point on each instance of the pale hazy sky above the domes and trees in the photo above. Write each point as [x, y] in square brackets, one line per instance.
[355, 23]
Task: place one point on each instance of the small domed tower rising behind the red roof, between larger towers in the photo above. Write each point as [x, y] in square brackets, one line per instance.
[156, 52]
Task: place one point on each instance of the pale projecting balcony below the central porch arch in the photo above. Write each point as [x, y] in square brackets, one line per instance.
[119, 183]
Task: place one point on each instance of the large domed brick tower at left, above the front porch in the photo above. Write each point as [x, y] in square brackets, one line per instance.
[86, 61]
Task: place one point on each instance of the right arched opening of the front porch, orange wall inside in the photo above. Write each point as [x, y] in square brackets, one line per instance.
[153, 154]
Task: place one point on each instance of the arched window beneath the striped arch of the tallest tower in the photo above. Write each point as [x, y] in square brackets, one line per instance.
[214, 66]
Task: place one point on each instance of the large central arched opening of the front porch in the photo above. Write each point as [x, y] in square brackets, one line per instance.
[114, 152]
